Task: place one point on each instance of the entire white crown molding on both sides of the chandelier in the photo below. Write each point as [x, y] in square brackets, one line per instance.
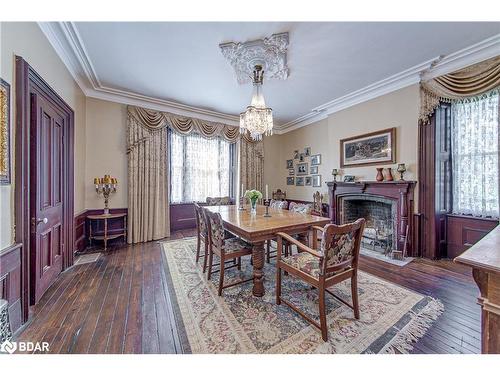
[68, 44]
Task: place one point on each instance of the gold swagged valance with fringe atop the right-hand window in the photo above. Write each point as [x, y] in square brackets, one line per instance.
[472, 81]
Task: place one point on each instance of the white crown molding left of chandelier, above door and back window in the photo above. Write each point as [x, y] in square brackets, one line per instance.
[66, 41]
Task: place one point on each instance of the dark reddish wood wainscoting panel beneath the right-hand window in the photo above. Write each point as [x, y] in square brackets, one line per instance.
[464, 231]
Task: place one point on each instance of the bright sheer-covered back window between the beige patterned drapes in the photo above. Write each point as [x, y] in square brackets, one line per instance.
[200, 168]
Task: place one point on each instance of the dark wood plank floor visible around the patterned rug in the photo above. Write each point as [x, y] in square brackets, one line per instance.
[120, 304]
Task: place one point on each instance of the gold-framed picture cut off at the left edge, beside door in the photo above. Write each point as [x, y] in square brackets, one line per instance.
[4, 133]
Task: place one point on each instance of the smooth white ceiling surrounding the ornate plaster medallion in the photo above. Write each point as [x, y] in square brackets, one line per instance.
[181, 62]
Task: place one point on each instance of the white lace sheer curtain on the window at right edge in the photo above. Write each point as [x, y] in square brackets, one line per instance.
[475, 156]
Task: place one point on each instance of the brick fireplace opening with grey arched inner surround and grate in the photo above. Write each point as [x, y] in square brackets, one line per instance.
[381, 220]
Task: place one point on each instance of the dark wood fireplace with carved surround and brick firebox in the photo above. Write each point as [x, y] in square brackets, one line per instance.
[387, 208]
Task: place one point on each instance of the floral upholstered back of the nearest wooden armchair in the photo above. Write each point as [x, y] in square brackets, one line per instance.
[340, 246]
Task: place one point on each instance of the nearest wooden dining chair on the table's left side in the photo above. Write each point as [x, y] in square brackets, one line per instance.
[226, 249]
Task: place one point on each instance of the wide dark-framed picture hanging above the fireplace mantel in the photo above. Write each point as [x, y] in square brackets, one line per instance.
[373, 148]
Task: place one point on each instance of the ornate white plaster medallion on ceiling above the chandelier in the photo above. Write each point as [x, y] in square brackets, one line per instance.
[270, 53]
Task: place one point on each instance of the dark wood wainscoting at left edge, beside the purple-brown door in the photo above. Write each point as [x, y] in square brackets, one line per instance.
[11, 284]
